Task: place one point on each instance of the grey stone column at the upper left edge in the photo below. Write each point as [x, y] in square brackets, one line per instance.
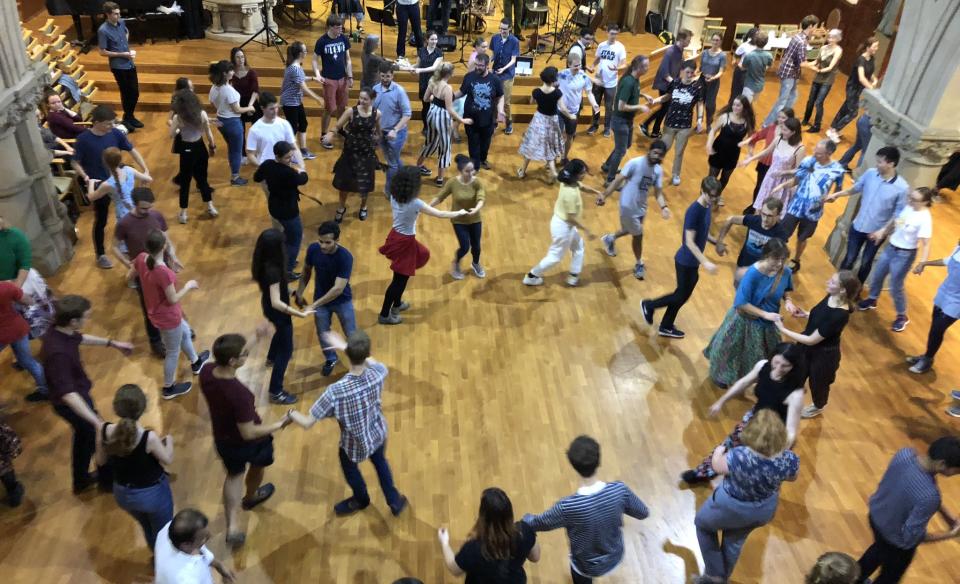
[28, 199]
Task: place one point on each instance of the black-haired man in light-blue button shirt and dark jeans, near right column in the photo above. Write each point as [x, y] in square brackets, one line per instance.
[883, 195]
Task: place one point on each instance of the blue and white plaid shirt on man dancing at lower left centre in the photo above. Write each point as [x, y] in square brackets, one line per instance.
[355, 402]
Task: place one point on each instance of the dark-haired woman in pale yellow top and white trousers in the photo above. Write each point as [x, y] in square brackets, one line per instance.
[567, 217]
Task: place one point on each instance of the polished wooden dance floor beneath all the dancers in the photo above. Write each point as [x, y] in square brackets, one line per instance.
[490, 380]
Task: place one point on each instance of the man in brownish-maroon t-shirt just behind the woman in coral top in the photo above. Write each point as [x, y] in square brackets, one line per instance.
[132, 231]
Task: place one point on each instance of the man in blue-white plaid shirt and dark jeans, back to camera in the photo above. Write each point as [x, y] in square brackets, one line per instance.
[354, 401]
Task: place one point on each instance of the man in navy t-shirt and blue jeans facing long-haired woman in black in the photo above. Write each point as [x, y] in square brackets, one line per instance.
[331, 294]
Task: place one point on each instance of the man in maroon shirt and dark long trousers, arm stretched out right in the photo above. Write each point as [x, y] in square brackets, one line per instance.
[69, 385]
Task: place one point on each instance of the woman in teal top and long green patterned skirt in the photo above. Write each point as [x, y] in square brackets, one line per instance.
[747, 333]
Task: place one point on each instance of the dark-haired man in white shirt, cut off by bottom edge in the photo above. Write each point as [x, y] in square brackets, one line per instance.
[180, 556]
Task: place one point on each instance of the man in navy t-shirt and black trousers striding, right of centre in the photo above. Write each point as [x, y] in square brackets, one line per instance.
[689, 258]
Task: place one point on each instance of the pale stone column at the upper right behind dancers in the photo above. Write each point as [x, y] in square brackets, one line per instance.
[914, 109]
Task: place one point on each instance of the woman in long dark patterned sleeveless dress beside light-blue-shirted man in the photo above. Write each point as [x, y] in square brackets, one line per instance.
[355, 170]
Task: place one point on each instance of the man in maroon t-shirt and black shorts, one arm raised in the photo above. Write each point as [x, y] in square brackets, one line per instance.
[239, 434]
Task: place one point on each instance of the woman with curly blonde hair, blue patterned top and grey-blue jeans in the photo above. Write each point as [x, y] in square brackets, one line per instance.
[748, 497]
